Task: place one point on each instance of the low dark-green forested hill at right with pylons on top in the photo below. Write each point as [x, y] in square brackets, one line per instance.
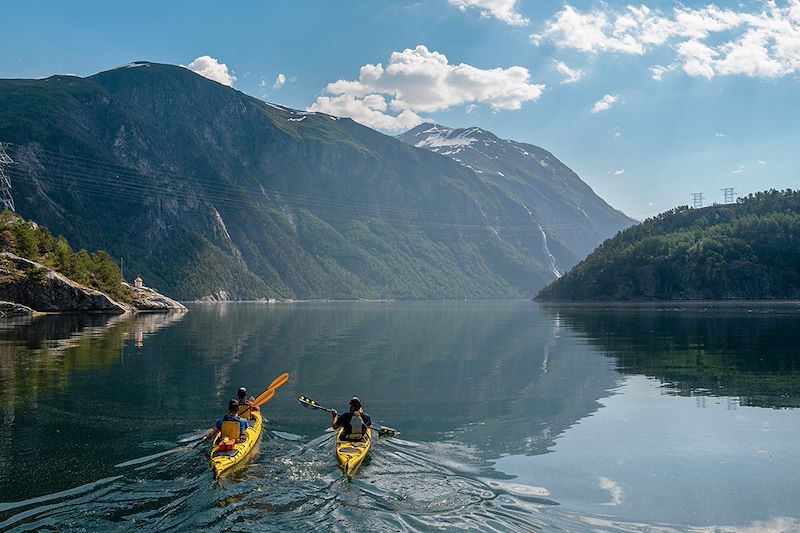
[747, 250]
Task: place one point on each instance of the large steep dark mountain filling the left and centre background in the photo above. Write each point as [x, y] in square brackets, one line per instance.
[207, 192]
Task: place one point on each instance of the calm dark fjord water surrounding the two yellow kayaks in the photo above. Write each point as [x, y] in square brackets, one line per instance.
[513, 417]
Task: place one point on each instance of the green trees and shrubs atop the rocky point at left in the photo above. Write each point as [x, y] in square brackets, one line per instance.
[33, 242]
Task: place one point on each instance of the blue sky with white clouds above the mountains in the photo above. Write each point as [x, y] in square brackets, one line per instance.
[648, 103]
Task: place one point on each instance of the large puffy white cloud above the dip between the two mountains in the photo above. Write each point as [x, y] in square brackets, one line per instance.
[421, 81]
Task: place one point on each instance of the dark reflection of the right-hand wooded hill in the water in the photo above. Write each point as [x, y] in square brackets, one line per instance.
[747, 351]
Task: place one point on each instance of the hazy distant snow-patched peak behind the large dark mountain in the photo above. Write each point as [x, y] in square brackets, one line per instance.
[569, 218]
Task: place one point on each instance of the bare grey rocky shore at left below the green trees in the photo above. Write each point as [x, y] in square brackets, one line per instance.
[27, 287]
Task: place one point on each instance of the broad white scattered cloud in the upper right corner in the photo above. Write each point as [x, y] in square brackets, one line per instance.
[708, 41]
